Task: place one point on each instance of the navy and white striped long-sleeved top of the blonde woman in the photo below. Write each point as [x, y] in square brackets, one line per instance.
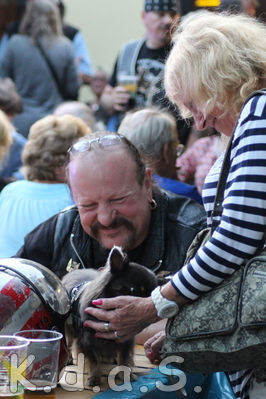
[242, 225]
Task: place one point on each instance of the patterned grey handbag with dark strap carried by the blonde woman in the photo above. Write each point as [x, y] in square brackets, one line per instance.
[225, 329]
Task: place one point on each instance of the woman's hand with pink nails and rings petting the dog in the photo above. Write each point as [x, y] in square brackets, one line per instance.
[117, 316]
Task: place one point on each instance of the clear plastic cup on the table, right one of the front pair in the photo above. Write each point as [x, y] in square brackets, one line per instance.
[42, 366]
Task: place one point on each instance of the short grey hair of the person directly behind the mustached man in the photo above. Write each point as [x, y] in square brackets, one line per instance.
[149, 129]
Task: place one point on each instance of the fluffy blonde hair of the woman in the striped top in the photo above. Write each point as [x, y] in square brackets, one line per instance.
[217, 60]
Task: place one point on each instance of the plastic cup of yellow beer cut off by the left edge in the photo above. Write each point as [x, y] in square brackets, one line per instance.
[13, 353]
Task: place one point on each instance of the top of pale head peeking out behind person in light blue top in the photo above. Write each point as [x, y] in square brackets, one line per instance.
[78, 109]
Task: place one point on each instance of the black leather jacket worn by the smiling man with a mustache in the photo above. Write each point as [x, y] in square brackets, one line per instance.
[60, 243]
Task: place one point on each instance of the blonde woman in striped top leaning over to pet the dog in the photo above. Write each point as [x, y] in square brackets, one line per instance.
[208, 48]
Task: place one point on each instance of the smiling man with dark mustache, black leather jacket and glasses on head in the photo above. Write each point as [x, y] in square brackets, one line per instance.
[115, 204]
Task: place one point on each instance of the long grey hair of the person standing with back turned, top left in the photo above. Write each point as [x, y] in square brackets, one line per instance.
[41, 19]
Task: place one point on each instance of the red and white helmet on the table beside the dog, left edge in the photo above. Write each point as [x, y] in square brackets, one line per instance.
[31, 297]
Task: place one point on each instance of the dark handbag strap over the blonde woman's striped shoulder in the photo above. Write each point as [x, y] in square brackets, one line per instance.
[217, 208]
